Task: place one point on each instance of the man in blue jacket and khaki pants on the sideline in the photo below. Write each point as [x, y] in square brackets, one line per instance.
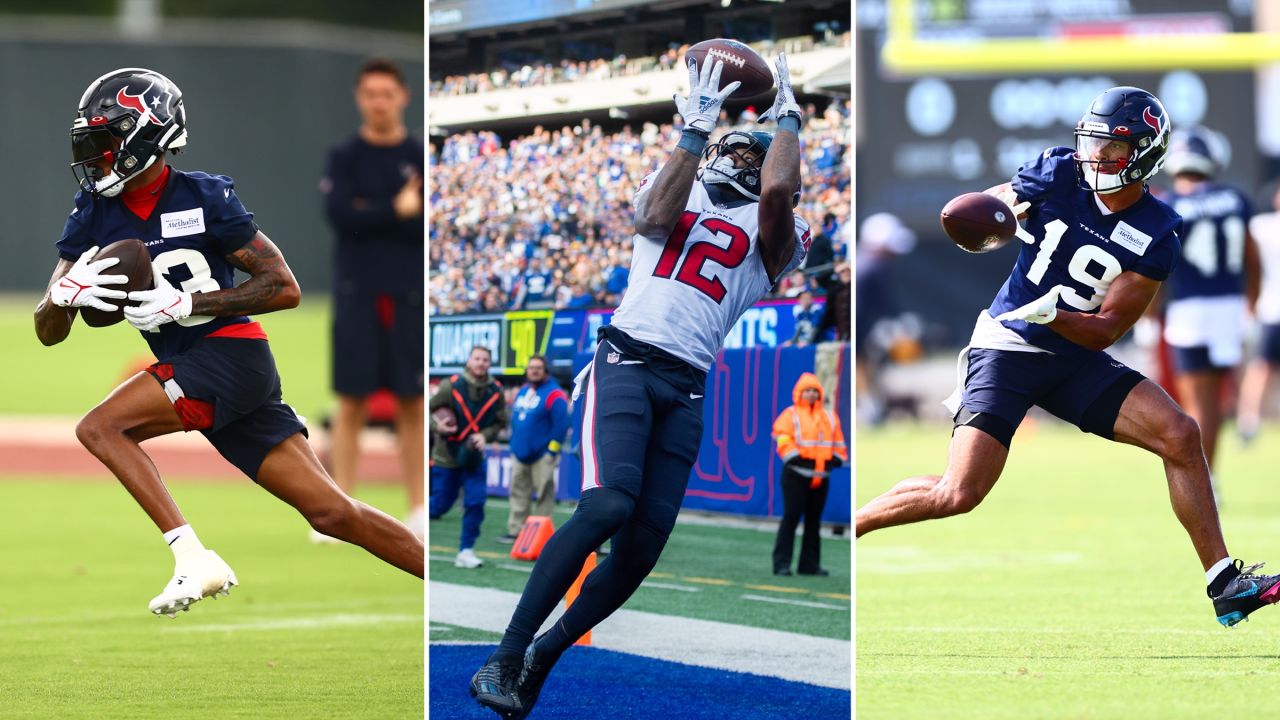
[538, 425]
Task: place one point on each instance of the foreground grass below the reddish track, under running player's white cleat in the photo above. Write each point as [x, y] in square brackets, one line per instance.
[312, 632]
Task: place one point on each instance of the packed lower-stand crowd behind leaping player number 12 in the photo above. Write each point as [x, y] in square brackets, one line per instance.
[546, 220]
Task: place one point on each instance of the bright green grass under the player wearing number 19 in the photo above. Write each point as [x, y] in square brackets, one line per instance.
[1071, 594]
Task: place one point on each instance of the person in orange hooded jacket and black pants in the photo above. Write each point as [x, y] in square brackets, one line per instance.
[811, 445]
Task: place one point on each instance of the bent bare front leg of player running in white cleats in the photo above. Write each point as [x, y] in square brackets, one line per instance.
[136, 411]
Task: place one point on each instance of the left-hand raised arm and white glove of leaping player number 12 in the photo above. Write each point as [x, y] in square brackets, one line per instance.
[660, 208]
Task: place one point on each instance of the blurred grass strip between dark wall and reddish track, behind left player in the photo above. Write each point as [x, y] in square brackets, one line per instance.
[74, 376]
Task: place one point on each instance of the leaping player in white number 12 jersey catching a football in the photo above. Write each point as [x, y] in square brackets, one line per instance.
[708, 245]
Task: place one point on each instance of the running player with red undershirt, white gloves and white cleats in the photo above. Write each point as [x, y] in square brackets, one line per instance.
[214, 372]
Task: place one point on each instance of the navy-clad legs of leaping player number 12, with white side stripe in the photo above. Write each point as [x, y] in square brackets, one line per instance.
[642, 429]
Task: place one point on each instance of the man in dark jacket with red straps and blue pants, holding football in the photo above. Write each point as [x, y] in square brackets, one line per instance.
[468, 412]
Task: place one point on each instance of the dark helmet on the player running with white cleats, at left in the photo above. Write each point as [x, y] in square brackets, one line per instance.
[129, 117]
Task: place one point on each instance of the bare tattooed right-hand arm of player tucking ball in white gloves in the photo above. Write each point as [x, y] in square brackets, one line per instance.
[269, 288]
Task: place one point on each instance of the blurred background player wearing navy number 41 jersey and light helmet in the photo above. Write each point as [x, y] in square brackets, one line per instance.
[1214, 285]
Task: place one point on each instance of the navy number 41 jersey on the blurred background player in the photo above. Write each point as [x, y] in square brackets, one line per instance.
[1213, 266]
